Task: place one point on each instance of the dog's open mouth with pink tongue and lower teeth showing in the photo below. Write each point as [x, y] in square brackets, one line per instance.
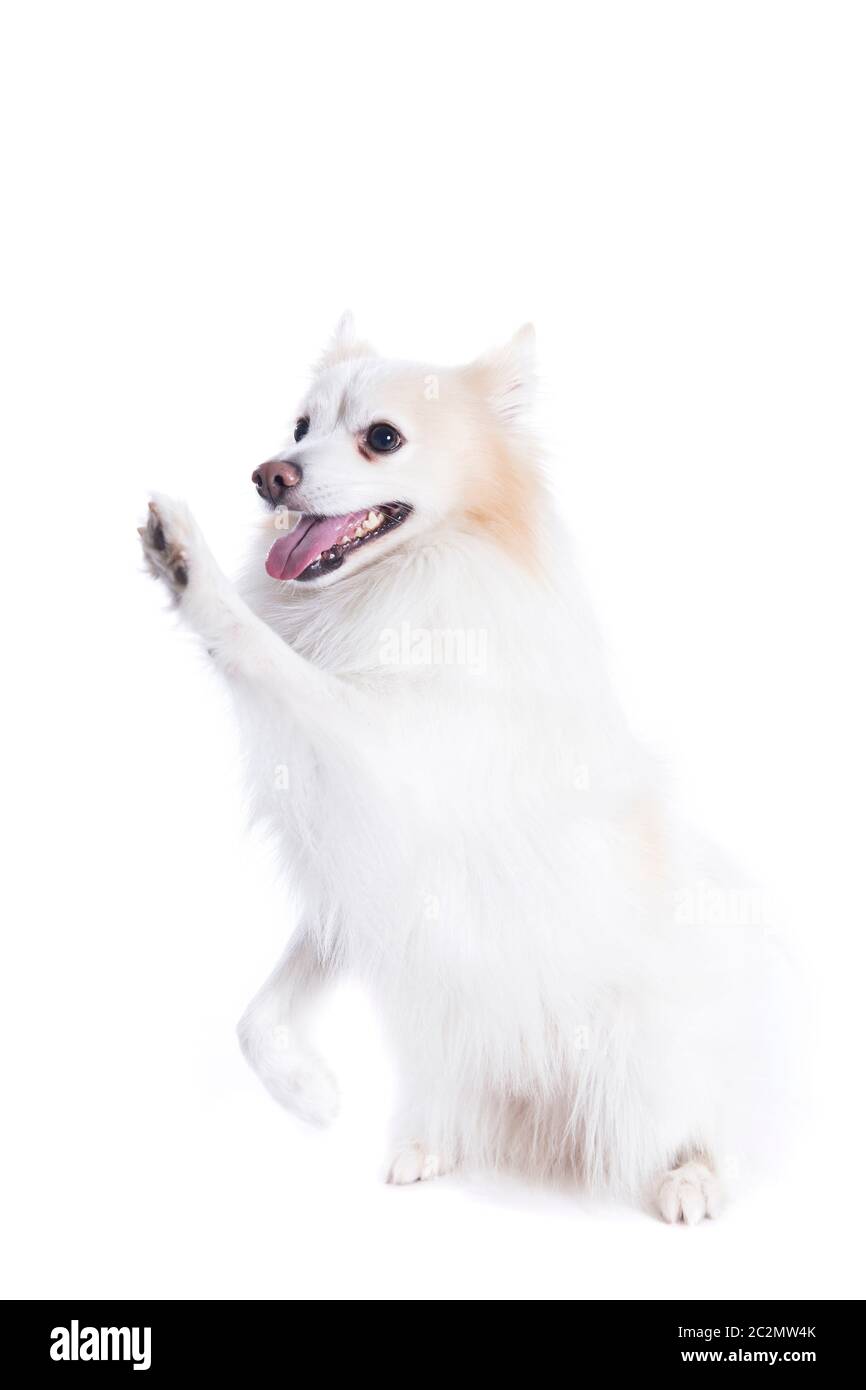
[319, 546]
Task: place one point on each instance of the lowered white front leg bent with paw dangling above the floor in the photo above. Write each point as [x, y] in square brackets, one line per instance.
[273, 1040]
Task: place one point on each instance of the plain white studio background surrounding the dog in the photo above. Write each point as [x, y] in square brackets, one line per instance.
[194, 193]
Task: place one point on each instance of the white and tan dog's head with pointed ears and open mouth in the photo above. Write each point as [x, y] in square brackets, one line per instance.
[387, 451]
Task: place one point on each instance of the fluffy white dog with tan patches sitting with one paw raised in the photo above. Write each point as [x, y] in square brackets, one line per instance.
[458, 799]
